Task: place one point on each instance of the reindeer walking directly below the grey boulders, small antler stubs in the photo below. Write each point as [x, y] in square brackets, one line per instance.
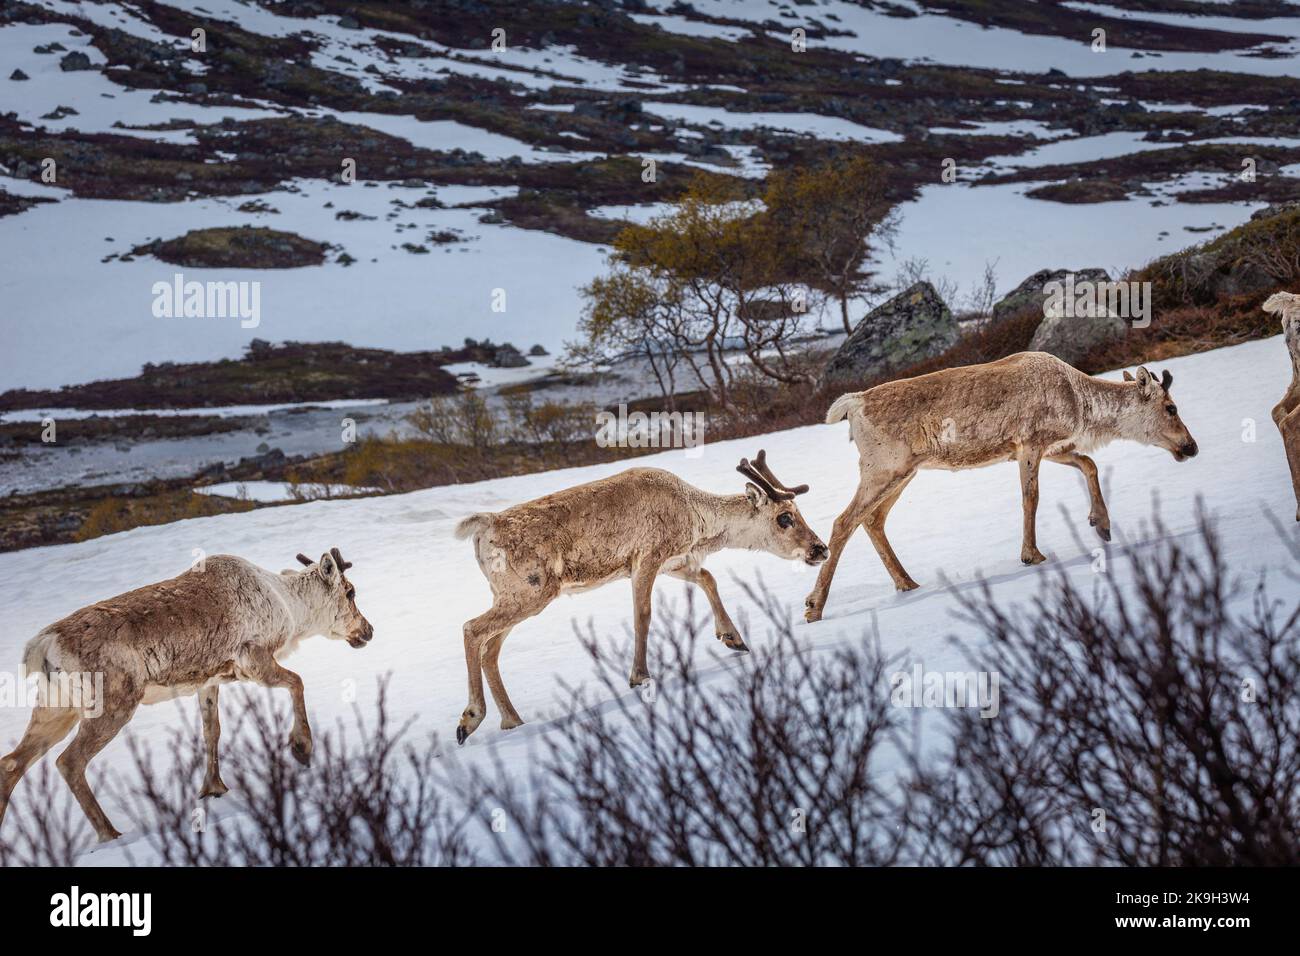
[1026, 408]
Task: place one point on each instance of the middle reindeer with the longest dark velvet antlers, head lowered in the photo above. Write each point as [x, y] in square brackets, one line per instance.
[639, 525]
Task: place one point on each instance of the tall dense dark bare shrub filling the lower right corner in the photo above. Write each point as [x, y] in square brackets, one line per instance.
[1151, 724]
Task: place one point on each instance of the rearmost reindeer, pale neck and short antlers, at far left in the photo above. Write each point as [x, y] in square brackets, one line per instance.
[223, 621]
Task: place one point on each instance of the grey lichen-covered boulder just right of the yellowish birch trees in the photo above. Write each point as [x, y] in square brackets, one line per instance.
[911, 327]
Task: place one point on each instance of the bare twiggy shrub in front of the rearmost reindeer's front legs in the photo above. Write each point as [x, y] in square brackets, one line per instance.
[367, 799]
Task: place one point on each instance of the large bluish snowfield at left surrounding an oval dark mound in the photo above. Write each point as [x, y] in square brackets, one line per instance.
[103, 326]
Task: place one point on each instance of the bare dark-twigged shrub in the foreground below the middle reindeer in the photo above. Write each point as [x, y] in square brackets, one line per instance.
[772, 763]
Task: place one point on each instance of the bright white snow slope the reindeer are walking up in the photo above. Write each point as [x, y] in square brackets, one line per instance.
[418, 585]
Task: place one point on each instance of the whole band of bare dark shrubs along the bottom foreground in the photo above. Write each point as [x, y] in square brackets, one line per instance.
[1126, 700]
